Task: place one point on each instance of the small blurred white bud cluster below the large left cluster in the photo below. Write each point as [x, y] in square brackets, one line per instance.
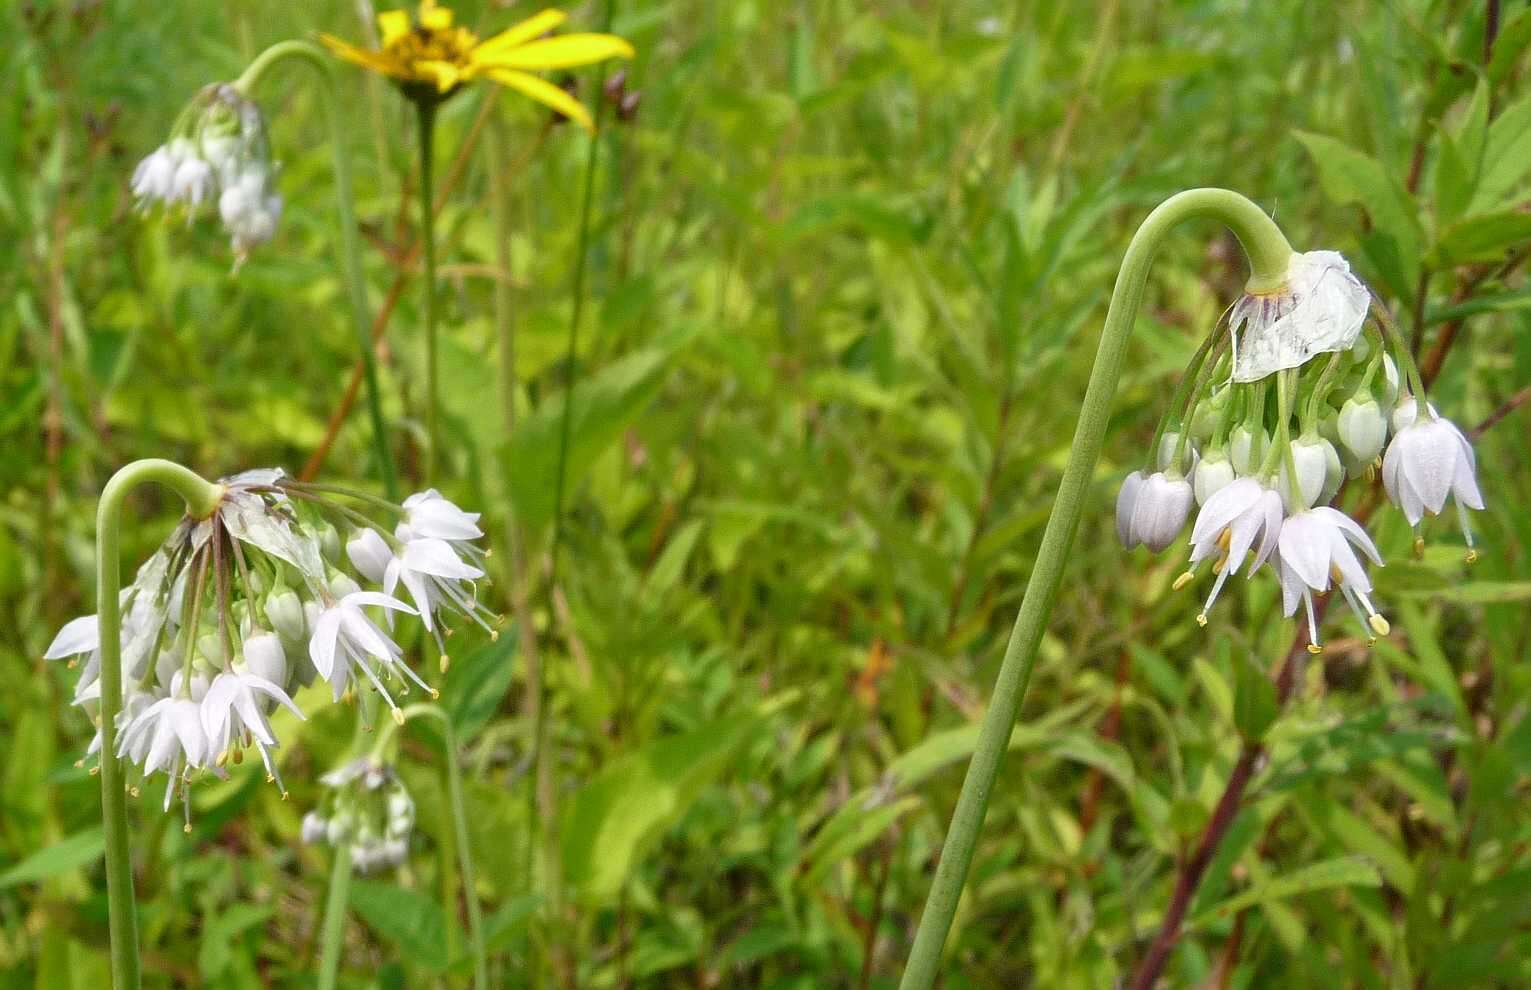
[367, 810]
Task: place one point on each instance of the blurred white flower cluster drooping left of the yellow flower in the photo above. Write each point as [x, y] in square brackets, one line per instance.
[218, 155]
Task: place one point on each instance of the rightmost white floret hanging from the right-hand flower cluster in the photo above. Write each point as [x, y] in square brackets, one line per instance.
[1431, 461]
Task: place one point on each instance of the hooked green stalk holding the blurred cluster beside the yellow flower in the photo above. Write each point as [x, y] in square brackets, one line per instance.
[350, 243]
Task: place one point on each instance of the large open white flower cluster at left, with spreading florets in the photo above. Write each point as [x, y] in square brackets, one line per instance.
[240, 610]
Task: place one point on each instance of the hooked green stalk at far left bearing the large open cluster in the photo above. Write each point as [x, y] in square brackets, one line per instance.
[201, 498]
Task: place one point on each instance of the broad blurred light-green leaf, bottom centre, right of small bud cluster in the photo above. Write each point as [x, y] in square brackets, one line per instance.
[633, 801]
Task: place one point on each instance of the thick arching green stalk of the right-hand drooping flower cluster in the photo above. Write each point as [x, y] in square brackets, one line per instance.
[1268, 255]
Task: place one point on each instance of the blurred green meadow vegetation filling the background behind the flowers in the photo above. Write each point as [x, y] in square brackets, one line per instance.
[846, 275]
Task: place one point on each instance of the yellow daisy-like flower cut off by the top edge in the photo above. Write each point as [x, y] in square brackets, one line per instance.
[431, 57]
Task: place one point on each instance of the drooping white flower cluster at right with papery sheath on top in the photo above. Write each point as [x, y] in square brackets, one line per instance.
[1271, 445]
